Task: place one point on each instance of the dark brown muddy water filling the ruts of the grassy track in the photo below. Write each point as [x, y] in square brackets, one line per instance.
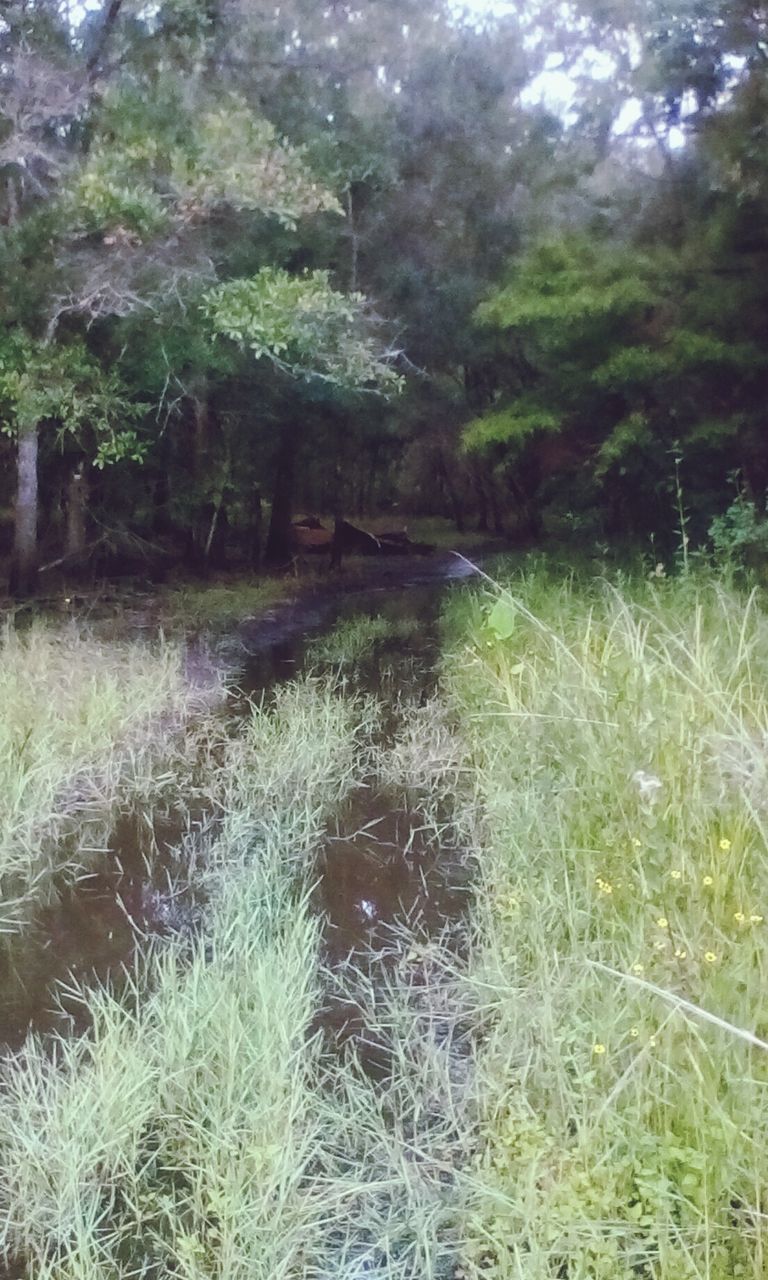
[381, 865]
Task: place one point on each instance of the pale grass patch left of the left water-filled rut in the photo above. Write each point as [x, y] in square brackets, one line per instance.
[84, 726]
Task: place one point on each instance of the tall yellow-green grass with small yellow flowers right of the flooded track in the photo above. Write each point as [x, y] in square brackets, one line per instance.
[619, 744]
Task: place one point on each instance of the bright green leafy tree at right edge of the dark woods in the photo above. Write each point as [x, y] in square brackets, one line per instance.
[624, 358]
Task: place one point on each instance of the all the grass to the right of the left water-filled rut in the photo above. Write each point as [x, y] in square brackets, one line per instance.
[577, 1094]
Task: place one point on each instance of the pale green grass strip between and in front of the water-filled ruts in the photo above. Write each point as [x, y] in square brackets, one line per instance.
[196, 1132]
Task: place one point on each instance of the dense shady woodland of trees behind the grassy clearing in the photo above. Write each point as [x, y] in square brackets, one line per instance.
[263, 260]
